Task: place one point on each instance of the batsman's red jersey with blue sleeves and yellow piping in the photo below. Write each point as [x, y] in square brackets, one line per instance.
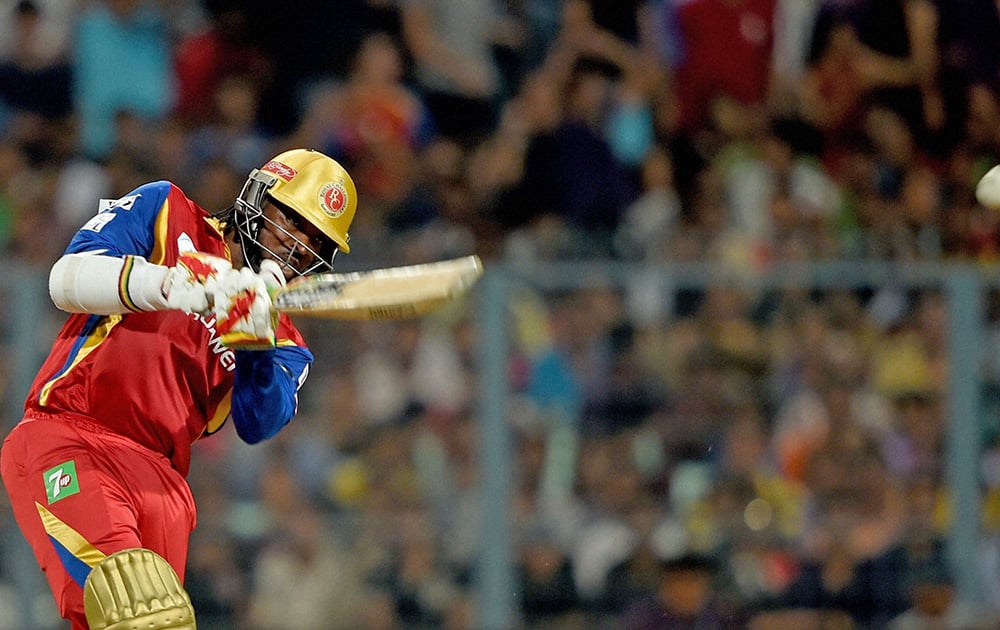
[162, 379]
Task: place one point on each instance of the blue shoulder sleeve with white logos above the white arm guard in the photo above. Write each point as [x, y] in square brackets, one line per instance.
[123, 226]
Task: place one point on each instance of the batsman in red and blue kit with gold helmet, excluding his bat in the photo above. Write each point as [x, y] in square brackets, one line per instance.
[171, 332]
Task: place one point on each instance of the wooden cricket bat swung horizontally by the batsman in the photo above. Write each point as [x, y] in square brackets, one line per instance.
[391, 293]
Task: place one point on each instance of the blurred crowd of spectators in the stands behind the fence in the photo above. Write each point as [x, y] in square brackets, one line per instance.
[717, 457]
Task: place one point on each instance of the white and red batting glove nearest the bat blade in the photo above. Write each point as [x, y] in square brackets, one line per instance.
[244, 316]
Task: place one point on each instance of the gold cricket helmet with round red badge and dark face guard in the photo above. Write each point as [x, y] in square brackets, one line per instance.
[305, 186]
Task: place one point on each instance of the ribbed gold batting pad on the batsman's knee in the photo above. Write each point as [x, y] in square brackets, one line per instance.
[136, 589]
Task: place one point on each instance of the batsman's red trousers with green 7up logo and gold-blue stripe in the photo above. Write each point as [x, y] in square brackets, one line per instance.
[81, 493]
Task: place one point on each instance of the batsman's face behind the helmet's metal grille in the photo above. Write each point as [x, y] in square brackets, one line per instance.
[290, 239]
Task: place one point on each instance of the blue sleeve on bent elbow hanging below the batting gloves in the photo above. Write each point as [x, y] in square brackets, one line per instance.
[265, 390]
